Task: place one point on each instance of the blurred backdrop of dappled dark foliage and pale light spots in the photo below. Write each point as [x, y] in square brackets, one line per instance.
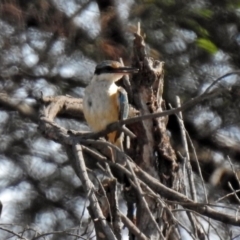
[52, 46]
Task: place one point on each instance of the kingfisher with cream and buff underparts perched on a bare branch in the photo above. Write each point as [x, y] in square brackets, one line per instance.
[104, 102]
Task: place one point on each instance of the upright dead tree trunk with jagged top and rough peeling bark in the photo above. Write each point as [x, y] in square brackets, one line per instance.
[151, 150]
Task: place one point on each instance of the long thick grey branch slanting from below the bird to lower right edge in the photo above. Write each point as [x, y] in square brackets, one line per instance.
[60, 135]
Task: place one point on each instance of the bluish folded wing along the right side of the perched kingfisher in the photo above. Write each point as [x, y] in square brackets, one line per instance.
[123, 103]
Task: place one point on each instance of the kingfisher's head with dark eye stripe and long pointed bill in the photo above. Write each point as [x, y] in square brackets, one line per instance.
[112, 70]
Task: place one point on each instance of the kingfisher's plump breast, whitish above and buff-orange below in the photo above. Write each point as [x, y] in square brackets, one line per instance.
[100, 105]
